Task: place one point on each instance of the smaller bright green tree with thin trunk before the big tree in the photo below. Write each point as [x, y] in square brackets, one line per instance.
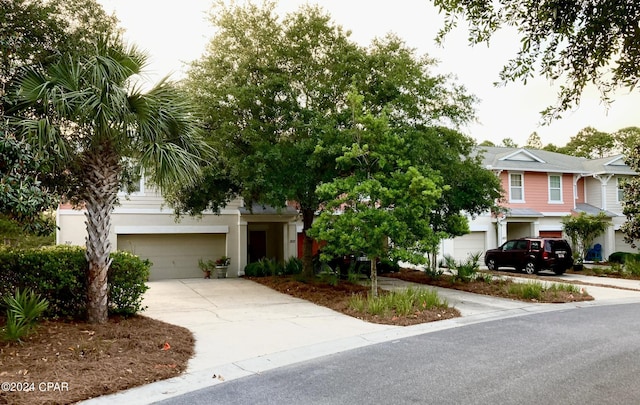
[381, 205]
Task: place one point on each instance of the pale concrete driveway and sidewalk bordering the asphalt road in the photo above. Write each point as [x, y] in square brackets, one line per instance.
[243, 328]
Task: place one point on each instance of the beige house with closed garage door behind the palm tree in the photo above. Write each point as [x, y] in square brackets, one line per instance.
[144, 225]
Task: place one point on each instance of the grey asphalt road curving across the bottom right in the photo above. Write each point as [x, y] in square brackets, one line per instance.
[578, 356]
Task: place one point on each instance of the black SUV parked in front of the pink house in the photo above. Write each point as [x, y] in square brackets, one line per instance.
[531, 255]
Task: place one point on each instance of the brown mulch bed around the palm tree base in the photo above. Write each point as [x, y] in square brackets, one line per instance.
[66, 362]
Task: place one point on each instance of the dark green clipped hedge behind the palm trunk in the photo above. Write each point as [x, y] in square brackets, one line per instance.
[59, 274]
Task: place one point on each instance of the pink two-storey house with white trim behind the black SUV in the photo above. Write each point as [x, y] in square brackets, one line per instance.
[540, 188]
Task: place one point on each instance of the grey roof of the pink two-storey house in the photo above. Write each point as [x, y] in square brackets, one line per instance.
[534, 160]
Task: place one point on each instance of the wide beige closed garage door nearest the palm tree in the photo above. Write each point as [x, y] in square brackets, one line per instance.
[176, 255]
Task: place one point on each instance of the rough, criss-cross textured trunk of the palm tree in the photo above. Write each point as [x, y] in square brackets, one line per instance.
[101, 185]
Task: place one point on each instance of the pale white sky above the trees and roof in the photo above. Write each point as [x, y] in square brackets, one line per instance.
[175, 33]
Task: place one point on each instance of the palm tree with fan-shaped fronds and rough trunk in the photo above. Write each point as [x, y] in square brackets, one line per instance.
[88, 111]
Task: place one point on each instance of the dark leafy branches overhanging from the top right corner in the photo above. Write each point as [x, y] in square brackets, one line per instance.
[577, 42]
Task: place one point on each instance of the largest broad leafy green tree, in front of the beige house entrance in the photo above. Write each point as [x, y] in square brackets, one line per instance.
[274, 98]
